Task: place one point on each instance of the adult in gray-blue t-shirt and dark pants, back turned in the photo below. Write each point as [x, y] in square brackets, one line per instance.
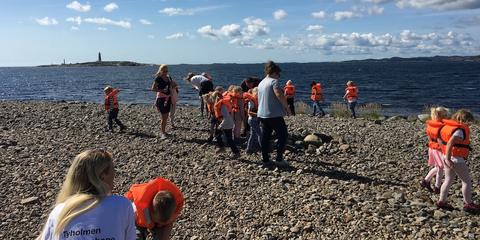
[272, 107]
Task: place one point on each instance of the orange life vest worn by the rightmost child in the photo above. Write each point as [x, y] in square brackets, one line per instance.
[461, 149]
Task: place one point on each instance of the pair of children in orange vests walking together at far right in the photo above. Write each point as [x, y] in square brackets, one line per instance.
[448, 149]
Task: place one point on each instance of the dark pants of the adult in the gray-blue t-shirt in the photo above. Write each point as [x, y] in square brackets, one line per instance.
[268, 125]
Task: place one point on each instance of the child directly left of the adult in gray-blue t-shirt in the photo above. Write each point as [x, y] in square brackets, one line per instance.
[254, 139]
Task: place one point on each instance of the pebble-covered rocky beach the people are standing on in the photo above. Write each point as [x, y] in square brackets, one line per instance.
[355, 179]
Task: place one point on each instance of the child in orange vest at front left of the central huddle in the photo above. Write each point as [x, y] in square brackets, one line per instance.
[223, 113]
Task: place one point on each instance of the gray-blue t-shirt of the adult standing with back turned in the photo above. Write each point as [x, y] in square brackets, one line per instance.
[269, 106]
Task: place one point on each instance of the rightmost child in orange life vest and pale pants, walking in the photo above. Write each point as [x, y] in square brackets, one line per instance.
[455, 136]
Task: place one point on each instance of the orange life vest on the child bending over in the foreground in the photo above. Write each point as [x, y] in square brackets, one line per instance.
[142, 197]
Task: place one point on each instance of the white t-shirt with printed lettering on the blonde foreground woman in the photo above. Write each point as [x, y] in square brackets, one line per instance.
[113, 218]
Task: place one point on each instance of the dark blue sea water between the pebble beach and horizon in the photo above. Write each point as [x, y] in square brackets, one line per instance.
[402, 88]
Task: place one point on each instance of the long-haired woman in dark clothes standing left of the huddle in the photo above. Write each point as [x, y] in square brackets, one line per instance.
[162, 86]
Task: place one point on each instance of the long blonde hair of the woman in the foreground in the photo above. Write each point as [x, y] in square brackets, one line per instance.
[83, 184]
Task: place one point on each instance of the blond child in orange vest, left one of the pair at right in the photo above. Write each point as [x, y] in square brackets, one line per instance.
[435, 156]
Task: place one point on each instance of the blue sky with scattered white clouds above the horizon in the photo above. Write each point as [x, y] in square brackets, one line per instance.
[35, 32]
